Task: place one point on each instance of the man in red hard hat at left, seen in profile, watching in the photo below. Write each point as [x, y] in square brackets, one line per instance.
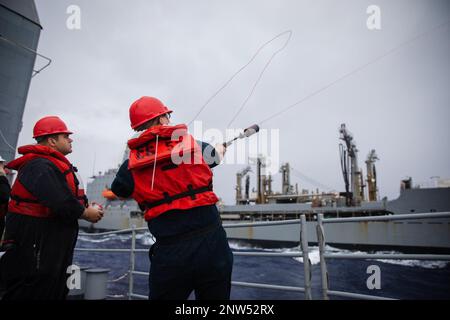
[42, 220]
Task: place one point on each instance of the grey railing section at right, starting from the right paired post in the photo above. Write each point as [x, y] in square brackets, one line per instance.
[324, 254]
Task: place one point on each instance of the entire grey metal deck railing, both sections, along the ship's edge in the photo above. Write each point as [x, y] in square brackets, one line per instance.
[304, 252]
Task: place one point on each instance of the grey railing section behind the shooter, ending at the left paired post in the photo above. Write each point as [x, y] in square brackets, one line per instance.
[304, 253]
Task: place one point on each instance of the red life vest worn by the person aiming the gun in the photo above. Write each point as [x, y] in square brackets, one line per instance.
[169, 171]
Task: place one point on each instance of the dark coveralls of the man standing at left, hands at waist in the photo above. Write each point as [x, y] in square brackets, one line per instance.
[39, 250]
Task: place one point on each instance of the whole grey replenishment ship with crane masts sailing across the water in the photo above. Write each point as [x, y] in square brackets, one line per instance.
[431, 235]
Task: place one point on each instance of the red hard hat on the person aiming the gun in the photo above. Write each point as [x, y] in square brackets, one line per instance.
[145, 109]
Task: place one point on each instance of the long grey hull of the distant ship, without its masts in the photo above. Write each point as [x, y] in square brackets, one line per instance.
[424, 234]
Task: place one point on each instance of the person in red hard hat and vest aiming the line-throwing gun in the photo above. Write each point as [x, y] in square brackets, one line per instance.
[191, 252]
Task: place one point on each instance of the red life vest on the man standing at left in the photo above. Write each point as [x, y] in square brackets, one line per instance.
[22, 201]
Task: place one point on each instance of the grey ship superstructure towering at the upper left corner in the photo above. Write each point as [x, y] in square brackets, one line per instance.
[19, 36]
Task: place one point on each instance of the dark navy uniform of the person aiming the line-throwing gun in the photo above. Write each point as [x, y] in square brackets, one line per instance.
[188, 254]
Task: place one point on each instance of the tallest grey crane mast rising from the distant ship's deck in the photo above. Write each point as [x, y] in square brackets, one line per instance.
[354, 191]
